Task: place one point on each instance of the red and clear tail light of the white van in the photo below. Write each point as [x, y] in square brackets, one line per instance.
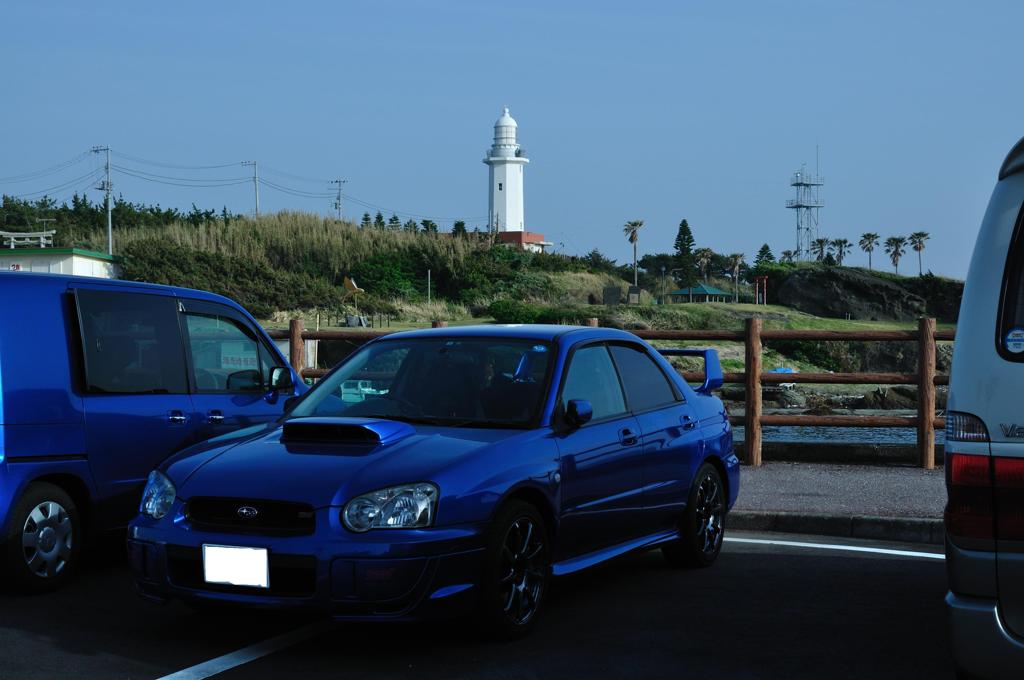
[987, 493]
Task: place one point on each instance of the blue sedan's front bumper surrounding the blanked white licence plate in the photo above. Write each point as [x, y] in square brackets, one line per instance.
[401, 575]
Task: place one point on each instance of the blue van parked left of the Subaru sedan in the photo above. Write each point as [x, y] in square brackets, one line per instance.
[101, 381]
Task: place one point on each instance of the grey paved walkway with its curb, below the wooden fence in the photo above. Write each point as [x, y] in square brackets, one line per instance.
[874, 502]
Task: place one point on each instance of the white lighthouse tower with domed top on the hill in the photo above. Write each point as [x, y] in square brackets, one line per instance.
[505, 160]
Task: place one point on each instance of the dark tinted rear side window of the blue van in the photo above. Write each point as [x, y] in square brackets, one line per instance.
[132, 343]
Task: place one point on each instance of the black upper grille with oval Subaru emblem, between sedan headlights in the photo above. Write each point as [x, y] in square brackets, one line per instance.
[242, 516]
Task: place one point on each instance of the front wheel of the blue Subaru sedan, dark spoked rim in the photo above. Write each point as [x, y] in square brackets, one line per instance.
[517, 572]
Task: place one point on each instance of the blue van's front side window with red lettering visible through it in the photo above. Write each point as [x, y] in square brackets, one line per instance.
[227, 357]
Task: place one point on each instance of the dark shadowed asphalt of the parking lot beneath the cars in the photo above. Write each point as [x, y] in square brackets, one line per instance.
[761, 612]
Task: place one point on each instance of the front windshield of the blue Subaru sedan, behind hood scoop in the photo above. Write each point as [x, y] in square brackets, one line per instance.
[464, 382]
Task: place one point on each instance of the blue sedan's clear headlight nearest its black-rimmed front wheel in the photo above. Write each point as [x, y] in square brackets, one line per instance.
[408, 506]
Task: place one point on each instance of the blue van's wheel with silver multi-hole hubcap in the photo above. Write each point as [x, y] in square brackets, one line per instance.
[44, 541]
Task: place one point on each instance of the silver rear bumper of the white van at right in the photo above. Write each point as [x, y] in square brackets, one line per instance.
[980, 644]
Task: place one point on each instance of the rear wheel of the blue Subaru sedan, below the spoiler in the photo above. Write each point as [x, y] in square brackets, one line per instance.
[703, 528]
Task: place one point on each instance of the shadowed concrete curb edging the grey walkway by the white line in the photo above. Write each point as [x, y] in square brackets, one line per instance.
[910, 530]
